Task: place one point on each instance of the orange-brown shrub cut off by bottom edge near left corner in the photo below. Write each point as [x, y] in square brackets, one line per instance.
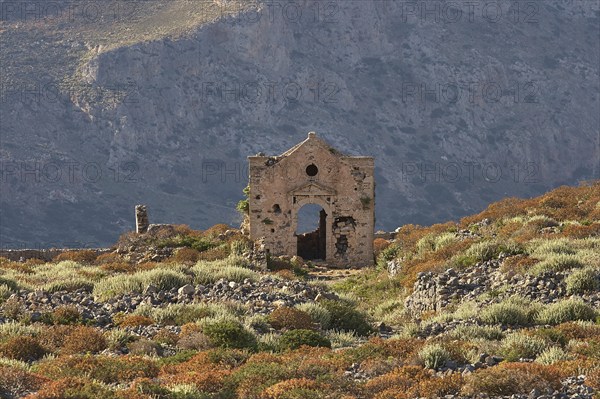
[73, 388]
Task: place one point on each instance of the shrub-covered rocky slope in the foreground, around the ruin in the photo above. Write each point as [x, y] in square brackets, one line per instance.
[501, 304]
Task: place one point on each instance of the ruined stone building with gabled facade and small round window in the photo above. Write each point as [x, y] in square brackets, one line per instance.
[312, 172]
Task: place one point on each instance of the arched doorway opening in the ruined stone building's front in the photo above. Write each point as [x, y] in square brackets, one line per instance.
[311, 232]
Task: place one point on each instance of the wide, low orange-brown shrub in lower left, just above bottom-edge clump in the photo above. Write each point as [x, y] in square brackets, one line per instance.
[106, 369]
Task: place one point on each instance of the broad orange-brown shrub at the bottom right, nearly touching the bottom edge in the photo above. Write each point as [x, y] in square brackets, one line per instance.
[511, 379]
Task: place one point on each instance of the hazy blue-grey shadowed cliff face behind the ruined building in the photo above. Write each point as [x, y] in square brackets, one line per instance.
[460, 105]
